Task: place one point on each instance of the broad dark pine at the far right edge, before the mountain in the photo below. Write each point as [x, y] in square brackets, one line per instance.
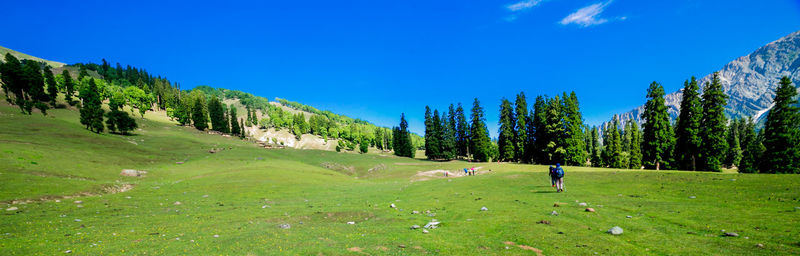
[782, 133]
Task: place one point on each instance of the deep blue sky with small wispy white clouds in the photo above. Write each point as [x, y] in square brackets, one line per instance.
[376, 59]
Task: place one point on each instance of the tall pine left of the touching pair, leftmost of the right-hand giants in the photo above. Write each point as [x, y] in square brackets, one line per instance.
[657, 135]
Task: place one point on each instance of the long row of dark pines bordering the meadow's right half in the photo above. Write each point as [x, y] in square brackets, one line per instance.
[702, 138]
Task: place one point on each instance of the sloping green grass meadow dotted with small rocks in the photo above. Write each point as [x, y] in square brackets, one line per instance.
[234, 201]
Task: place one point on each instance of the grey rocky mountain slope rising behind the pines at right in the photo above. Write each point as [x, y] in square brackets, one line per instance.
[749, 81]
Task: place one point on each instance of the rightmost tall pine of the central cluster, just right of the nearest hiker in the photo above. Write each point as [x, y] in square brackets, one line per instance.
[573, 120]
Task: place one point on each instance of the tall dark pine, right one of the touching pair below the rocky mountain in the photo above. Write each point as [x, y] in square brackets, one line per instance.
[713, 126]
